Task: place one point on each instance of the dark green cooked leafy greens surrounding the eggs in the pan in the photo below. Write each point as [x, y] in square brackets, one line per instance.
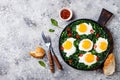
[75, 57]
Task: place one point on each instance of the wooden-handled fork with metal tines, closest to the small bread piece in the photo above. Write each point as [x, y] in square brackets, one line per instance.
[48, 43]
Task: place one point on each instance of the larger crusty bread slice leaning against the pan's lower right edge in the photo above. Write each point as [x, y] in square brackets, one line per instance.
[109, 65]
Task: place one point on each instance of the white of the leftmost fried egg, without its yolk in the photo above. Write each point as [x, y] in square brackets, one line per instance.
[72, 50]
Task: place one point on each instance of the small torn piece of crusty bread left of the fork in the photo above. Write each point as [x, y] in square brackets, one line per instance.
[39, 53]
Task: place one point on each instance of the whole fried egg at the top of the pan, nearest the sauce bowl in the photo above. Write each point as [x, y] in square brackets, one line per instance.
[84, 28]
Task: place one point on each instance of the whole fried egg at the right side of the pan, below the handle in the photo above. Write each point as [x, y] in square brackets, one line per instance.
[101, 45]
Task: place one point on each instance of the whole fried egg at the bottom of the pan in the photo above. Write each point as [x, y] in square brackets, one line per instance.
[88, 59]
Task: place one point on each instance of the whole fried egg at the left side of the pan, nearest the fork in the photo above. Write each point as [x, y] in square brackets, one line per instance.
[69, 47]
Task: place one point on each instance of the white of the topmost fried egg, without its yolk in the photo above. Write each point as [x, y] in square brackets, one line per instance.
[89, 27]
